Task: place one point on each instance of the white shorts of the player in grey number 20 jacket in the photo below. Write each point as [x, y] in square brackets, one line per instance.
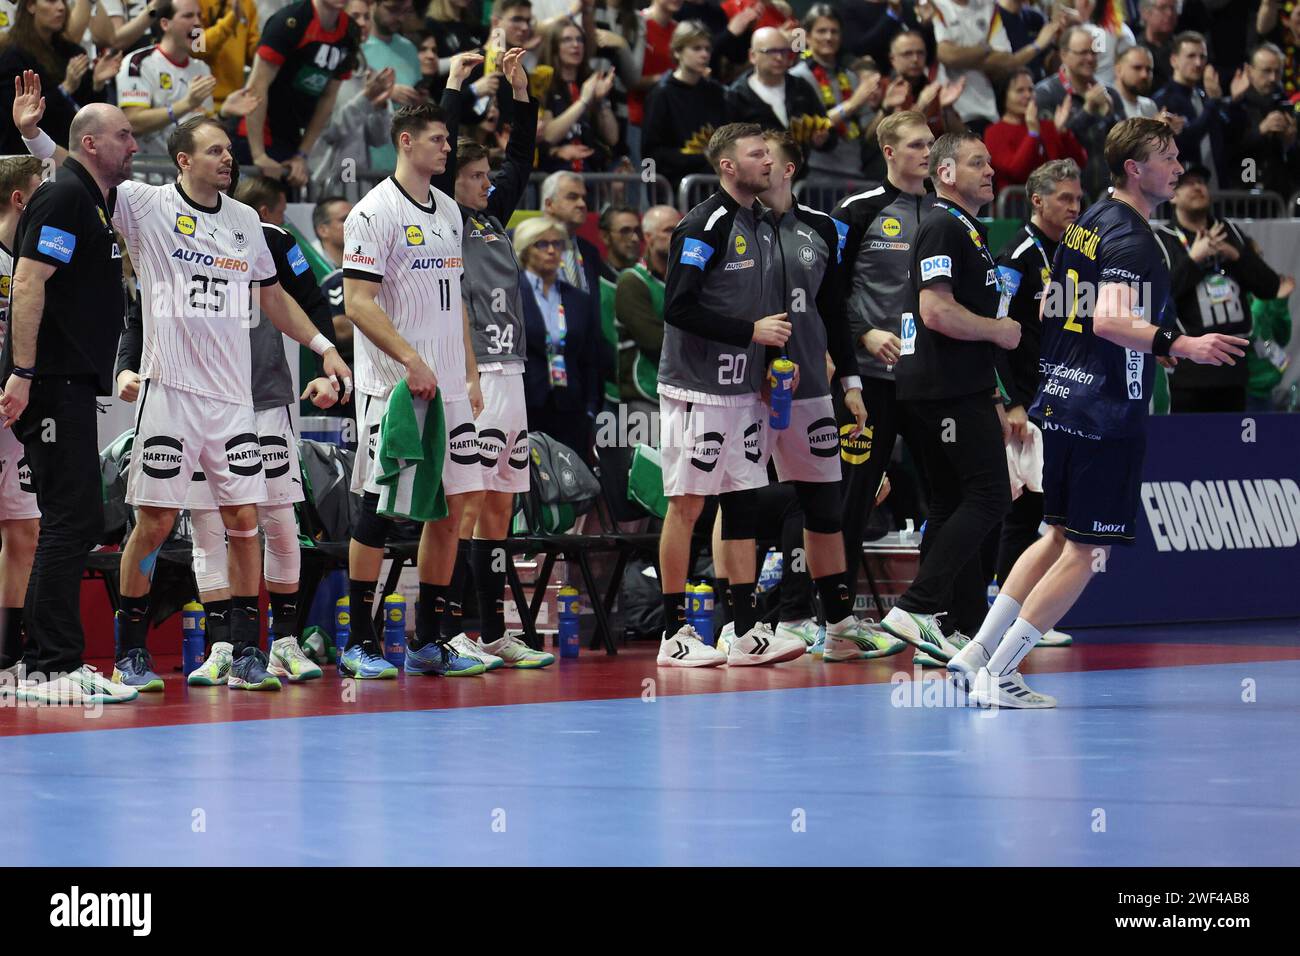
[712, 449]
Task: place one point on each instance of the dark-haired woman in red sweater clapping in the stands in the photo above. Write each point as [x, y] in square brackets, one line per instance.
[1021, 142]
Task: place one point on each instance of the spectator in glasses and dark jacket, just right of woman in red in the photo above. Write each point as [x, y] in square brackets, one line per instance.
[1094, 109]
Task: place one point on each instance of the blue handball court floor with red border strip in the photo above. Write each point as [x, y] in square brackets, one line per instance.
[1172, 746]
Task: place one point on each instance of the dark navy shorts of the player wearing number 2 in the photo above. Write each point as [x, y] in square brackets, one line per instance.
[1093, 487]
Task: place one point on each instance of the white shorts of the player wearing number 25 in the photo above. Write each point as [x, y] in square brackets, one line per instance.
[180, 432]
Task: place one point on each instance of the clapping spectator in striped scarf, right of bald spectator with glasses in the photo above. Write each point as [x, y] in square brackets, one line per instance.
[843, 92]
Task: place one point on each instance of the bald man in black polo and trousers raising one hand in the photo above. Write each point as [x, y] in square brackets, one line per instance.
[67, 310]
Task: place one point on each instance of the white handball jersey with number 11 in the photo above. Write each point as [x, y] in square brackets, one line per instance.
[415, 253]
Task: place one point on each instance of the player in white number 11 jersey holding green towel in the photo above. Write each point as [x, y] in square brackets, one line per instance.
[402, 266]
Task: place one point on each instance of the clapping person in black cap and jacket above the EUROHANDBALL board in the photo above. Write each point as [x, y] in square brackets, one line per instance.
[1212, 266]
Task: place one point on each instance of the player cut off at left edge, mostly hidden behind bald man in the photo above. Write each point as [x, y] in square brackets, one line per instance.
[20, 518]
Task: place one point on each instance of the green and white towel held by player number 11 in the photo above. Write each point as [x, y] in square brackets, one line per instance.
[413, 445]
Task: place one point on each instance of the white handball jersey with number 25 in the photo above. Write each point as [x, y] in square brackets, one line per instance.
[197, 267]
